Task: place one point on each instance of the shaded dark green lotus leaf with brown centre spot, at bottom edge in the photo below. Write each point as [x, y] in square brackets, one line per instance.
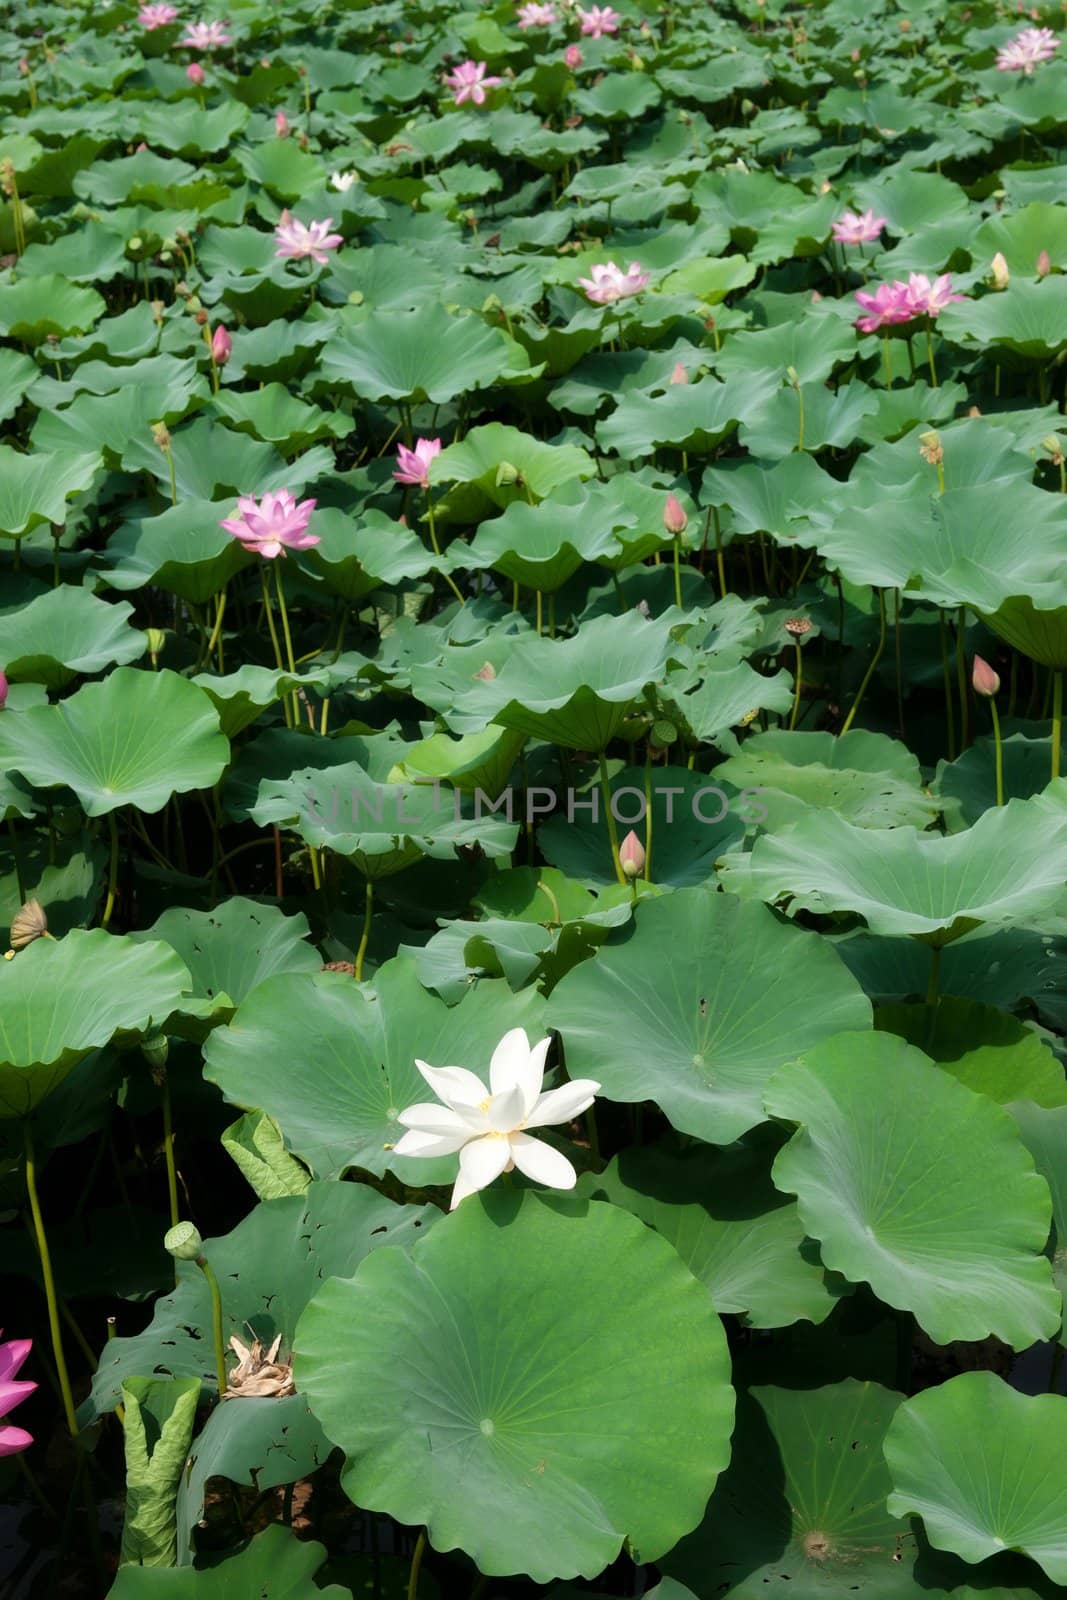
[802, 1508]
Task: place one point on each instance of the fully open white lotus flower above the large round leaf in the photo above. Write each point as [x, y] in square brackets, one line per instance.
[489, 1127]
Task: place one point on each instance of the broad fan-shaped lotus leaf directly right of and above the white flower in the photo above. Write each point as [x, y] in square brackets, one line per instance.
[716, 996]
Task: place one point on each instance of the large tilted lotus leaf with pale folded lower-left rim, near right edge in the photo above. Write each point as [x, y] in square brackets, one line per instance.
[964, 1254]
